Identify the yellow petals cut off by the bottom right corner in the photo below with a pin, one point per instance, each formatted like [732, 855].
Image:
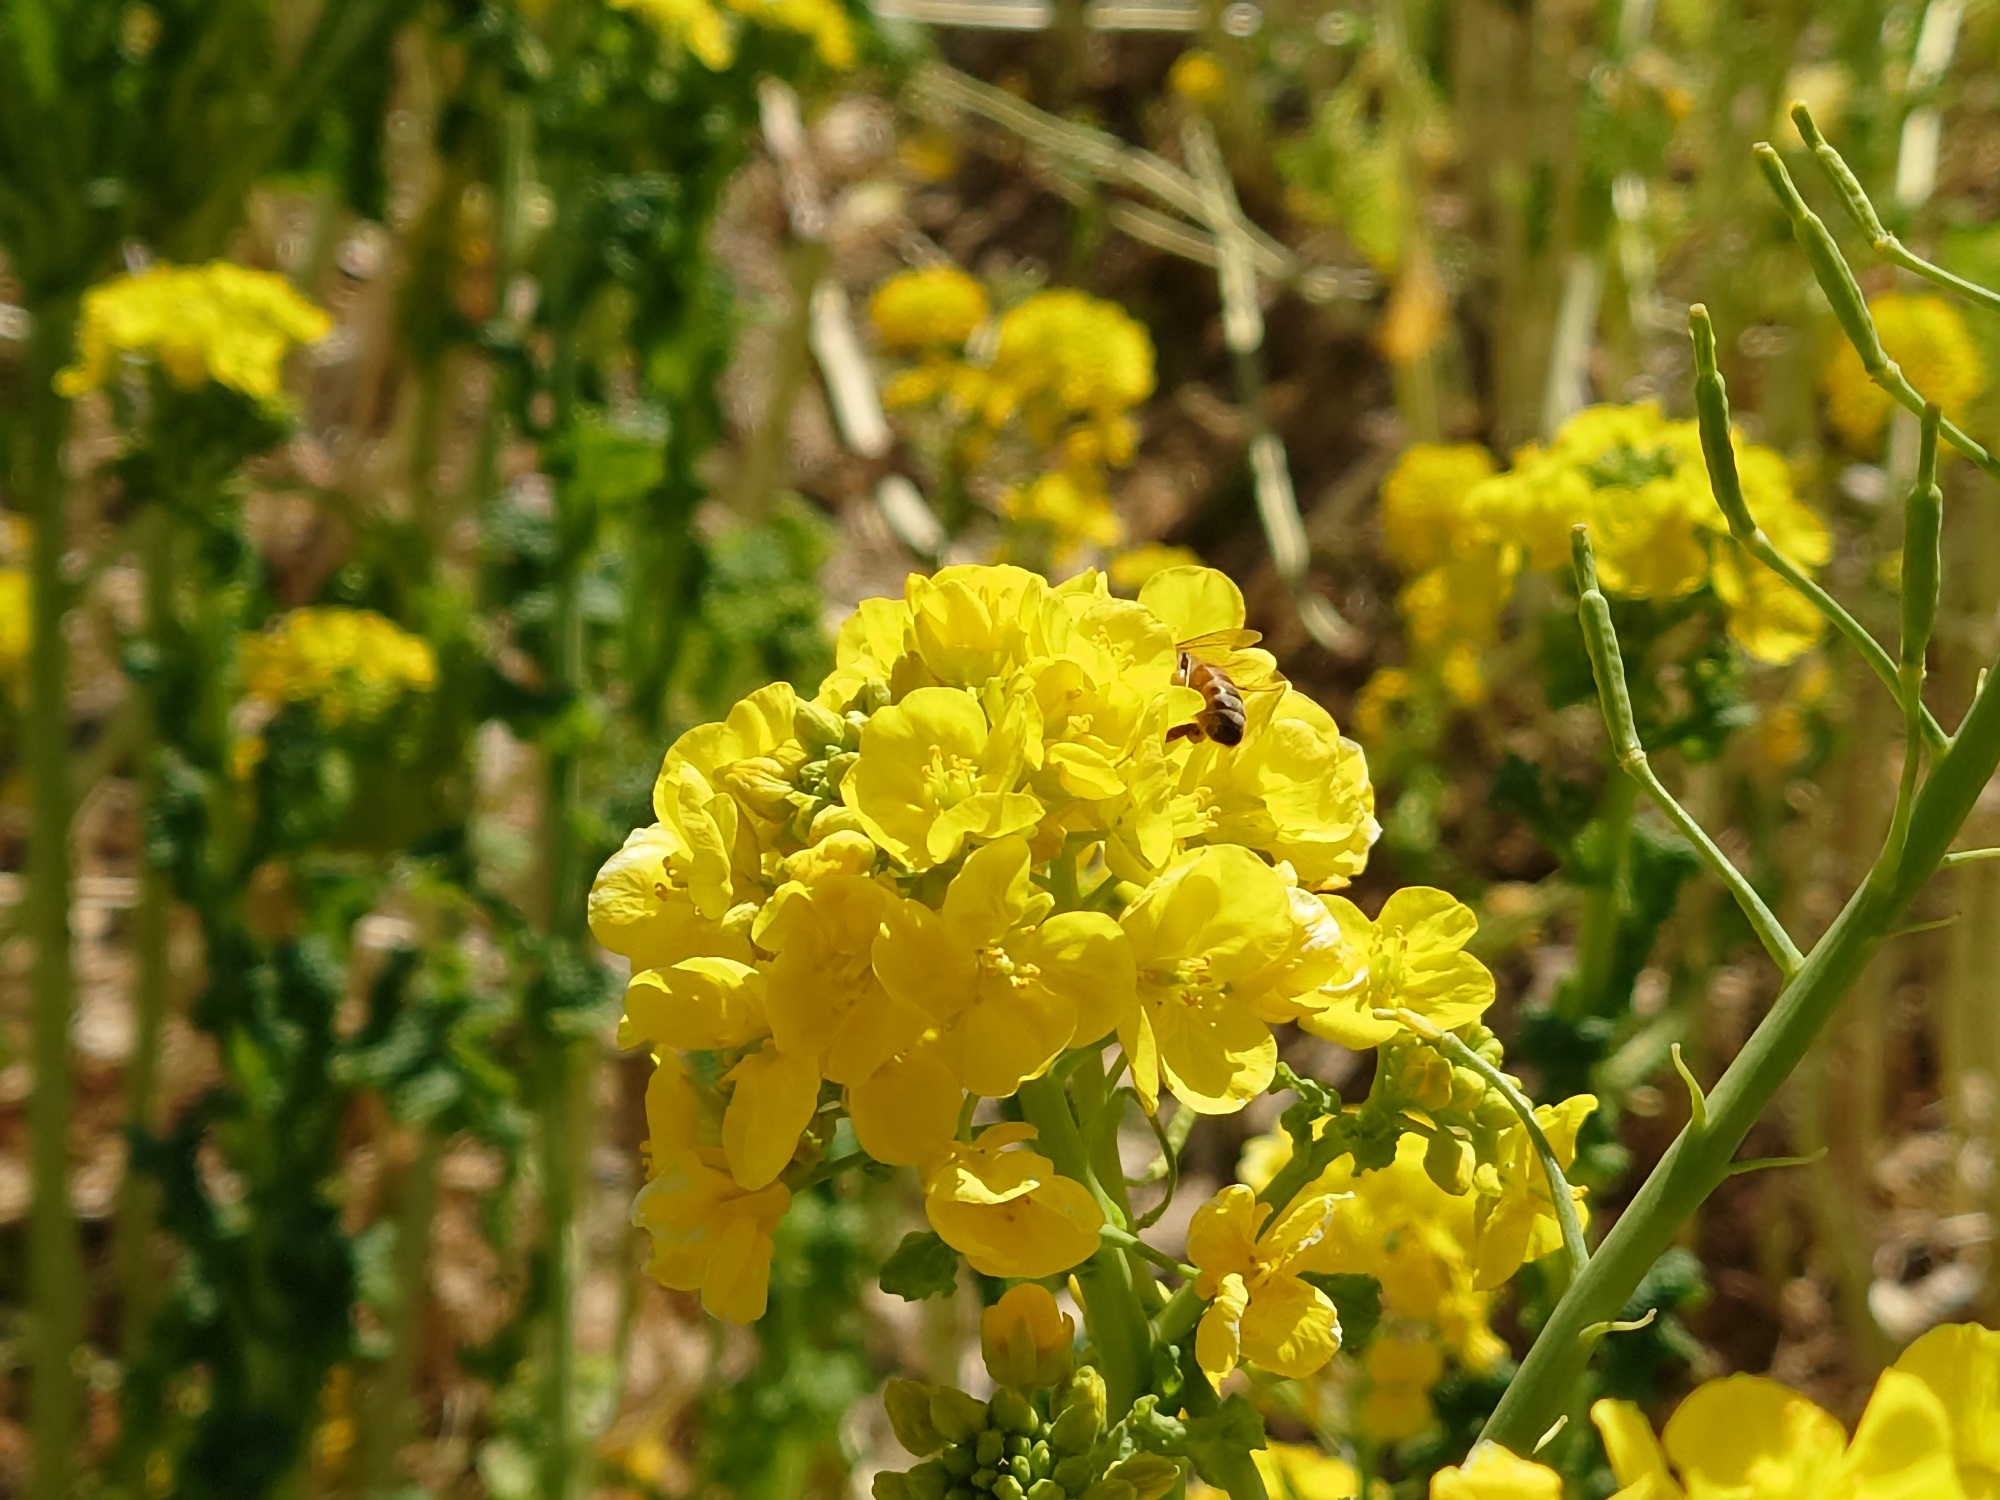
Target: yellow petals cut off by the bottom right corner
[1931, 1429]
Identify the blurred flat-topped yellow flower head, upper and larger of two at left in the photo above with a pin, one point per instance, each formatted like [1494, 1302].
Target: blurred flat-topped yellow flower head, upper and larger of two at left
[219, 323]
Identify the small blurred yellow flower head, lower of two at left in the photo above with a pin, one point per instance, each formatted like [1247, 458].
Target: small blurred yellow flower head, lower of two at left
[349, 665]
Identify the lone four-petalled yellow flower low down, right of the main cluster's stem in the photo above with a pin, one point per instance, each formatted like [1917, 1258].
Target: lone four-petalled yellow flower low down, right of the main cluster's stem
[1259, 1307]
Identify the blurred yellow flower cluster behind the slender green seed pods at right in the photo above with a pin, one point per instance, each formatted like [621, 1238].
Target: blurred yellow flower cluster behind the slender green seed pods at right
[1463, 531]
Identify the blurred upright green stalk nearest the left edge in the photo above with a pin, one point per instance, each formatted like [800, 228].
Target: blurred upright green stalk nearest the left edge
[55, 1257]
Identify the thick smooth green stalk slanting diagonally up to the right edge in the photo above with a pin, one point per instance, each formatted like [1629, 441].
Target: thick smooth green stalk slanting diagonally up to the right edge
[1699, 1161]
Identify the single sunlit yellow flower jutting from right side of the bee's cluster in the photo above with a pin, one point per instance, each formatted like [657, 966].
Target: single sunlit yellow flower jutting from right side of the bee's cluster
[1417, 961]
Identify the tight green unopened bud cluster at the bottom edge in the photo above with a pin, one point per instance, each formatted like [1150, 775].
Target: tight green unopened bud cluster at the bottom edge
[1047, 1445]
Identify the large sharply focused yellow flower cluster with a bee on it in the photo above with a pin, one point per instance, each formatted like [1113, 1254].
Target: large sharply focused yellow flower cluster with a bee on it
[975, 847]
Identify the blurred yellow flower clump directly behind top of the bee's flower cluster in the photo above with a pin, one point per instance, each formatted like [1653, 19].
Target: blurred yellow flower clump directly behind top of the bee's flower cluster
[1061, 369]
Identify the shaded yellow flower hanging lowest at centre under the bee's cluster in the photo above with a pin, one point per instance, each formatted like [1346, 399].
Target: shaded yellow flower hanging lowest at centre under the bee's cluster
[1009, 1213]
